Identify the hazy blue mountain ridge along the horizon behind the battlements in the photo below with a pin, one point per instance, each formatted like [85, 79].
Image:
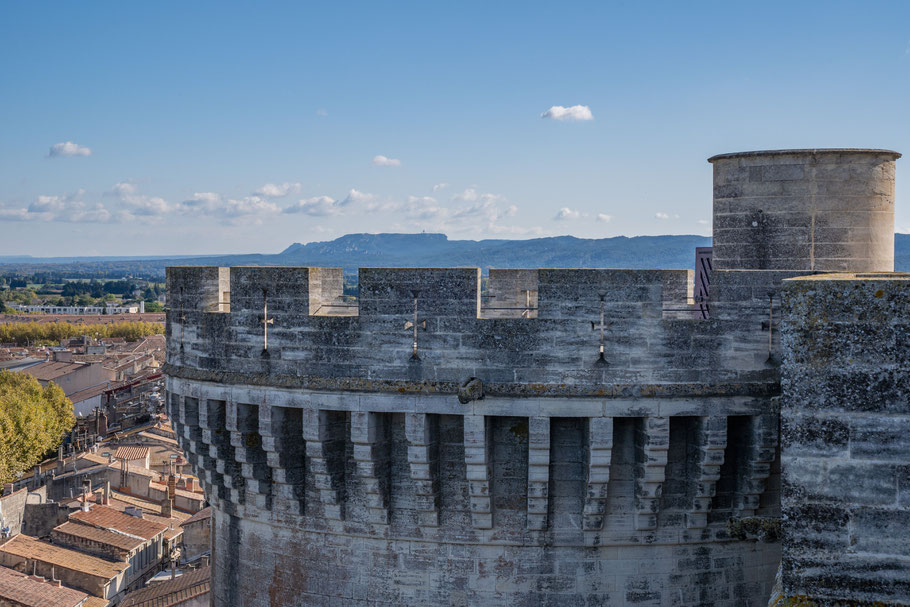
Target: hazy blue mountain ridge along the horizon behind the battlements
[353, 251]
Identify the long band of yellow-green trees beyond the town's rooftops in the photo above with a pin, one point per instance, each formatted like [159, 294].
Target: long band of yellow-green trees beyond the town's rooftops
[51, 333]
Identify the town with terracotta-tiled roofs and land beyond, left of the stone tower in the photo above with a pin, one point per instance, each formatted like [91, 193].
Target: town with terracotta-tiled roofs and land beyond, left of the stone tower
[115, 516]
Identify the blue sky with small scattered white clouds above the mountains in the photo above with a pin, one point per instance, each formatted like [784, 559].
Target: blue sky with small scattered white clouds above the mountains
[227, 127]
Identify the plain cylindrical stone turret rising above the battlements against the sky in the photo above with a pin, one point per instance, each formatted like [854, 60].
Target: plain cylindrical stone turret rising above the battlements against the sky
[825, 210]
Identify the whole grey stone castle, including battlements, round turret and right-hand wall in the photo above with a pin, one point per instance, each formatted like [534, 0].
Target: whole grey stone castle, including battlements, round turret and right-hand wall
[570, 437]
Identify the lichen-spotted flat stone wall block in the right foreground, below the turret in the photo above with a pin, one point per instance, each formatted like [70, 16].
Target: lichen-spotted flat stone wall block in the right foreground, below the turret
[846, 435]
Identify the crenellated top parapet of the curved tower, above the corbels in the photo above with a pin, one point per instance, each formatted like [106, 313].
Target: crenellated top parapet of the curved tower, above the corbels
[533, 332]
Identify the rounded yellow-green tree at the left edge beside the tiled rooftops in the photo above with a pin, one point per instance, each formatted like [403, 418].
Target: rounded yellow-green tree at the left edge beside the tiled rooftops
[33, 421]
